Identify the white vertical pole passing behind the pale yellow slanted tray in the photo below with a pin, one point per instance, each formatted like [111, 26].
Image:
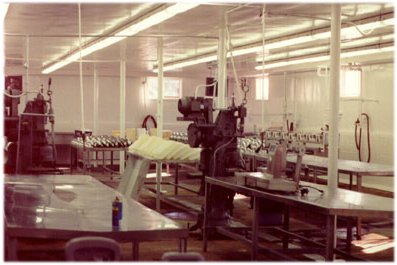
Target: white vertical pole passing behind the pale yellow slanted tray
[159, 117]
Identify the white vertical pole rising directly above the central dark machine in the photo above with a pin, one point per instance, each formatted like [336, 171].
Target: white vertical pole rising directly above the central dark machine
[221, 99]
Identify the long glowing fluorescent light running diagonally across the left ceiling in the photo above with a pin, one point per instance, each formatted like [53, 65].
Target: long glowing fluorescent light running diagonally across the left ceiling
[144, 23]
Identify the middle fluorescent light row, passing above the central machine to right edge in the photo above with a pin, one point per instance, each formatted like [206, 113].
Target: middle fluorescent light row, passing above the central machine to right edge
[348, 31]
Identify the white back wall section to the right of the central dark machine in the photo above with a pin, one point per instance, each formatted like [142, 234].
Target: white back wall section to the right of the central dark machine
[307, 100]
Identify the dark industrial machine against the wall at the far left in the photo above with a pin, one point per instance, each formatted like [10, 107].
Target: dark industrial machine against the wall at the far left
[28, 149]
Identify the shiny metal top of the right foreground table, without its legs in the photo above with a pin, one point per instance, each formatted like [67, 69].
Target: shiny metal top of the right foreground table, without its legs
[342, 202]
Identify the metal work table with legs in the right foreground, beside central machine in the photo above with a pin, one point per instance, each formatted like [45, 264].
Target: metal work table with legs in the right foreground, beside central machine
[340, 203]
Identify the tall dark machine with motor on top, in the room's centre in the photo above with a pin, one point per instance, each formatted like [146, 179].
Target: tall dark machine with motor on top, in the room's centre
[219, 156]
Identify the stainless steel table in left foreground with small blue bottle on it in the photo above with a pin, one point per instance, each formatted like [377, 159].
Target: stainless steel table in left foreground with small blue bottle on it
[69, 206]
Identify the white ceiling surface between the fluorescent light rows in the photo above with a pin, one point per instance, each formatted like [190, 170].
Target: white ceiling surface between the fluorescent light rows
[38, 33]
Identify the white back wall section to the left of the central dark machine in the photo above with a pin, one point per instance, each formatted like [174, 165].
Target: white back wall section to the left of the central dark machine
[66, 102]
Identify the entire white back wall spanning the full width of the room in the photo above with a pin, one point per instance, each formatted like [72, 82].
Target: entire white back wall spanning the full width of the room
[306, 104]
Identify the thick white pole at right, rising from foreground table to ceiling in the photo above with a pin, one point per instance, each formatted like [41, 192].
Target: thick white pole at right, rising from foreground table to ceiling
[334, 98]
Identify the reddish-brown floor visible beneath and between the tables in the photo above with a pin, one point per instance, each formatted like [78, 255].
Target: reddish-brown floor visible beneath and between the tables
[220, 248]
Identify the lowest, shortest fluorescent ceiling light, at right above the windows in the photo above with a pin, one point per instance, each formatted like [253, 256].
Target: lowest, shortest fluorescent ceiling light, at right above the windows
[324, 58]
